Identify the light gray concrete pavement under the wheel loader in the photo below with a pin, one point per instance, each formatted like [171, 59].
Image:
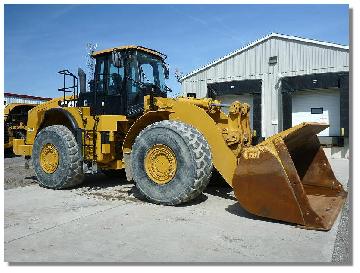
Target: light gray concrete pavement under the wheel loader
[105, 222]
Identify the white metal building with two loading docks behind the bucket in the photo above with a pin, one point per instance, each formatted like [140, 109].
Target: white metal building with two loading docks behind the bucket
[286, 80]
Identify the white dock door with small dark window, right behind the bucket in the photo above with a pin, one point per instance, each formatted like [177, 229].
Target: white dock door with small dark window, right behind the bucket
[318, 106]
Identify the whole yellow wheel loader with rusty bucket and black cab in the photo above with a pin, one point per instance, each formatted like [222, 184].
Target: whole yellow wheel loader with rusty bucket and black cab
[169, 146]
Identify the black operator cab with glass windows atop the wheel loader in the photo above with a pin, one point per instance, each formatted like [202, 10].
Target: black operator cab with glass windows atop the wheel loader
[123, 76]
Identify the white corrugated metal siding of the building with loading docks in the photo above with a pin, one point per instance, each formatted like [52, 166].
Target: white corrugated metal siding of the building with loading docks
[294, 58]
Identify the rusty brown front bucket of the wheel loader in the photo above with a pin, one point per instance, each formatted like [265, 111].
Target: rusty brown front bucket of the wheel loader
[288, 177]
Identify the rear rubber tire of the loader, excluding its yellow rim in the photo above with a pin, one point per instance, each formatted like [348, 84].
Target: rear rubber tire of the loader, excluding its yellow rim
[69, 172]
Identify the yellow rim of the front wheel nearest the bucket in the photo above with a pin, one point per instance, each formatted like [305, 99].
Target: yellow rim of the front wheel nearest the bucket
[160, 164]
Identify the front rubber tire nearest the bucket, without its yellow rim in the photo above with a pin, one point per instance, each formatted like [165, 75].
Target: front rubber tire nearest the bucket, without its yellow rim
[193, 157]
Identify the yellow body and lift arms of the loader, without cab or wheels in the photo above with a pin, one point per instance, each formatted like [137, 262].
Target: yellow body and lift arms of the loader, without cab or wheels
[225, 134]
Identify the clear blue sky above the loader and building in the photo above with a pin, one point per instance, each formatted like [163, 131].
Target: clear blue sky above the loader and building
[43, 39]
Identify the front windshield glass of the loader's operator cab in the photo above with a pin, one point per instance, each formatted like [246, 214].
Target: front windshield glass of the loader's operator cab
[148, 69]
